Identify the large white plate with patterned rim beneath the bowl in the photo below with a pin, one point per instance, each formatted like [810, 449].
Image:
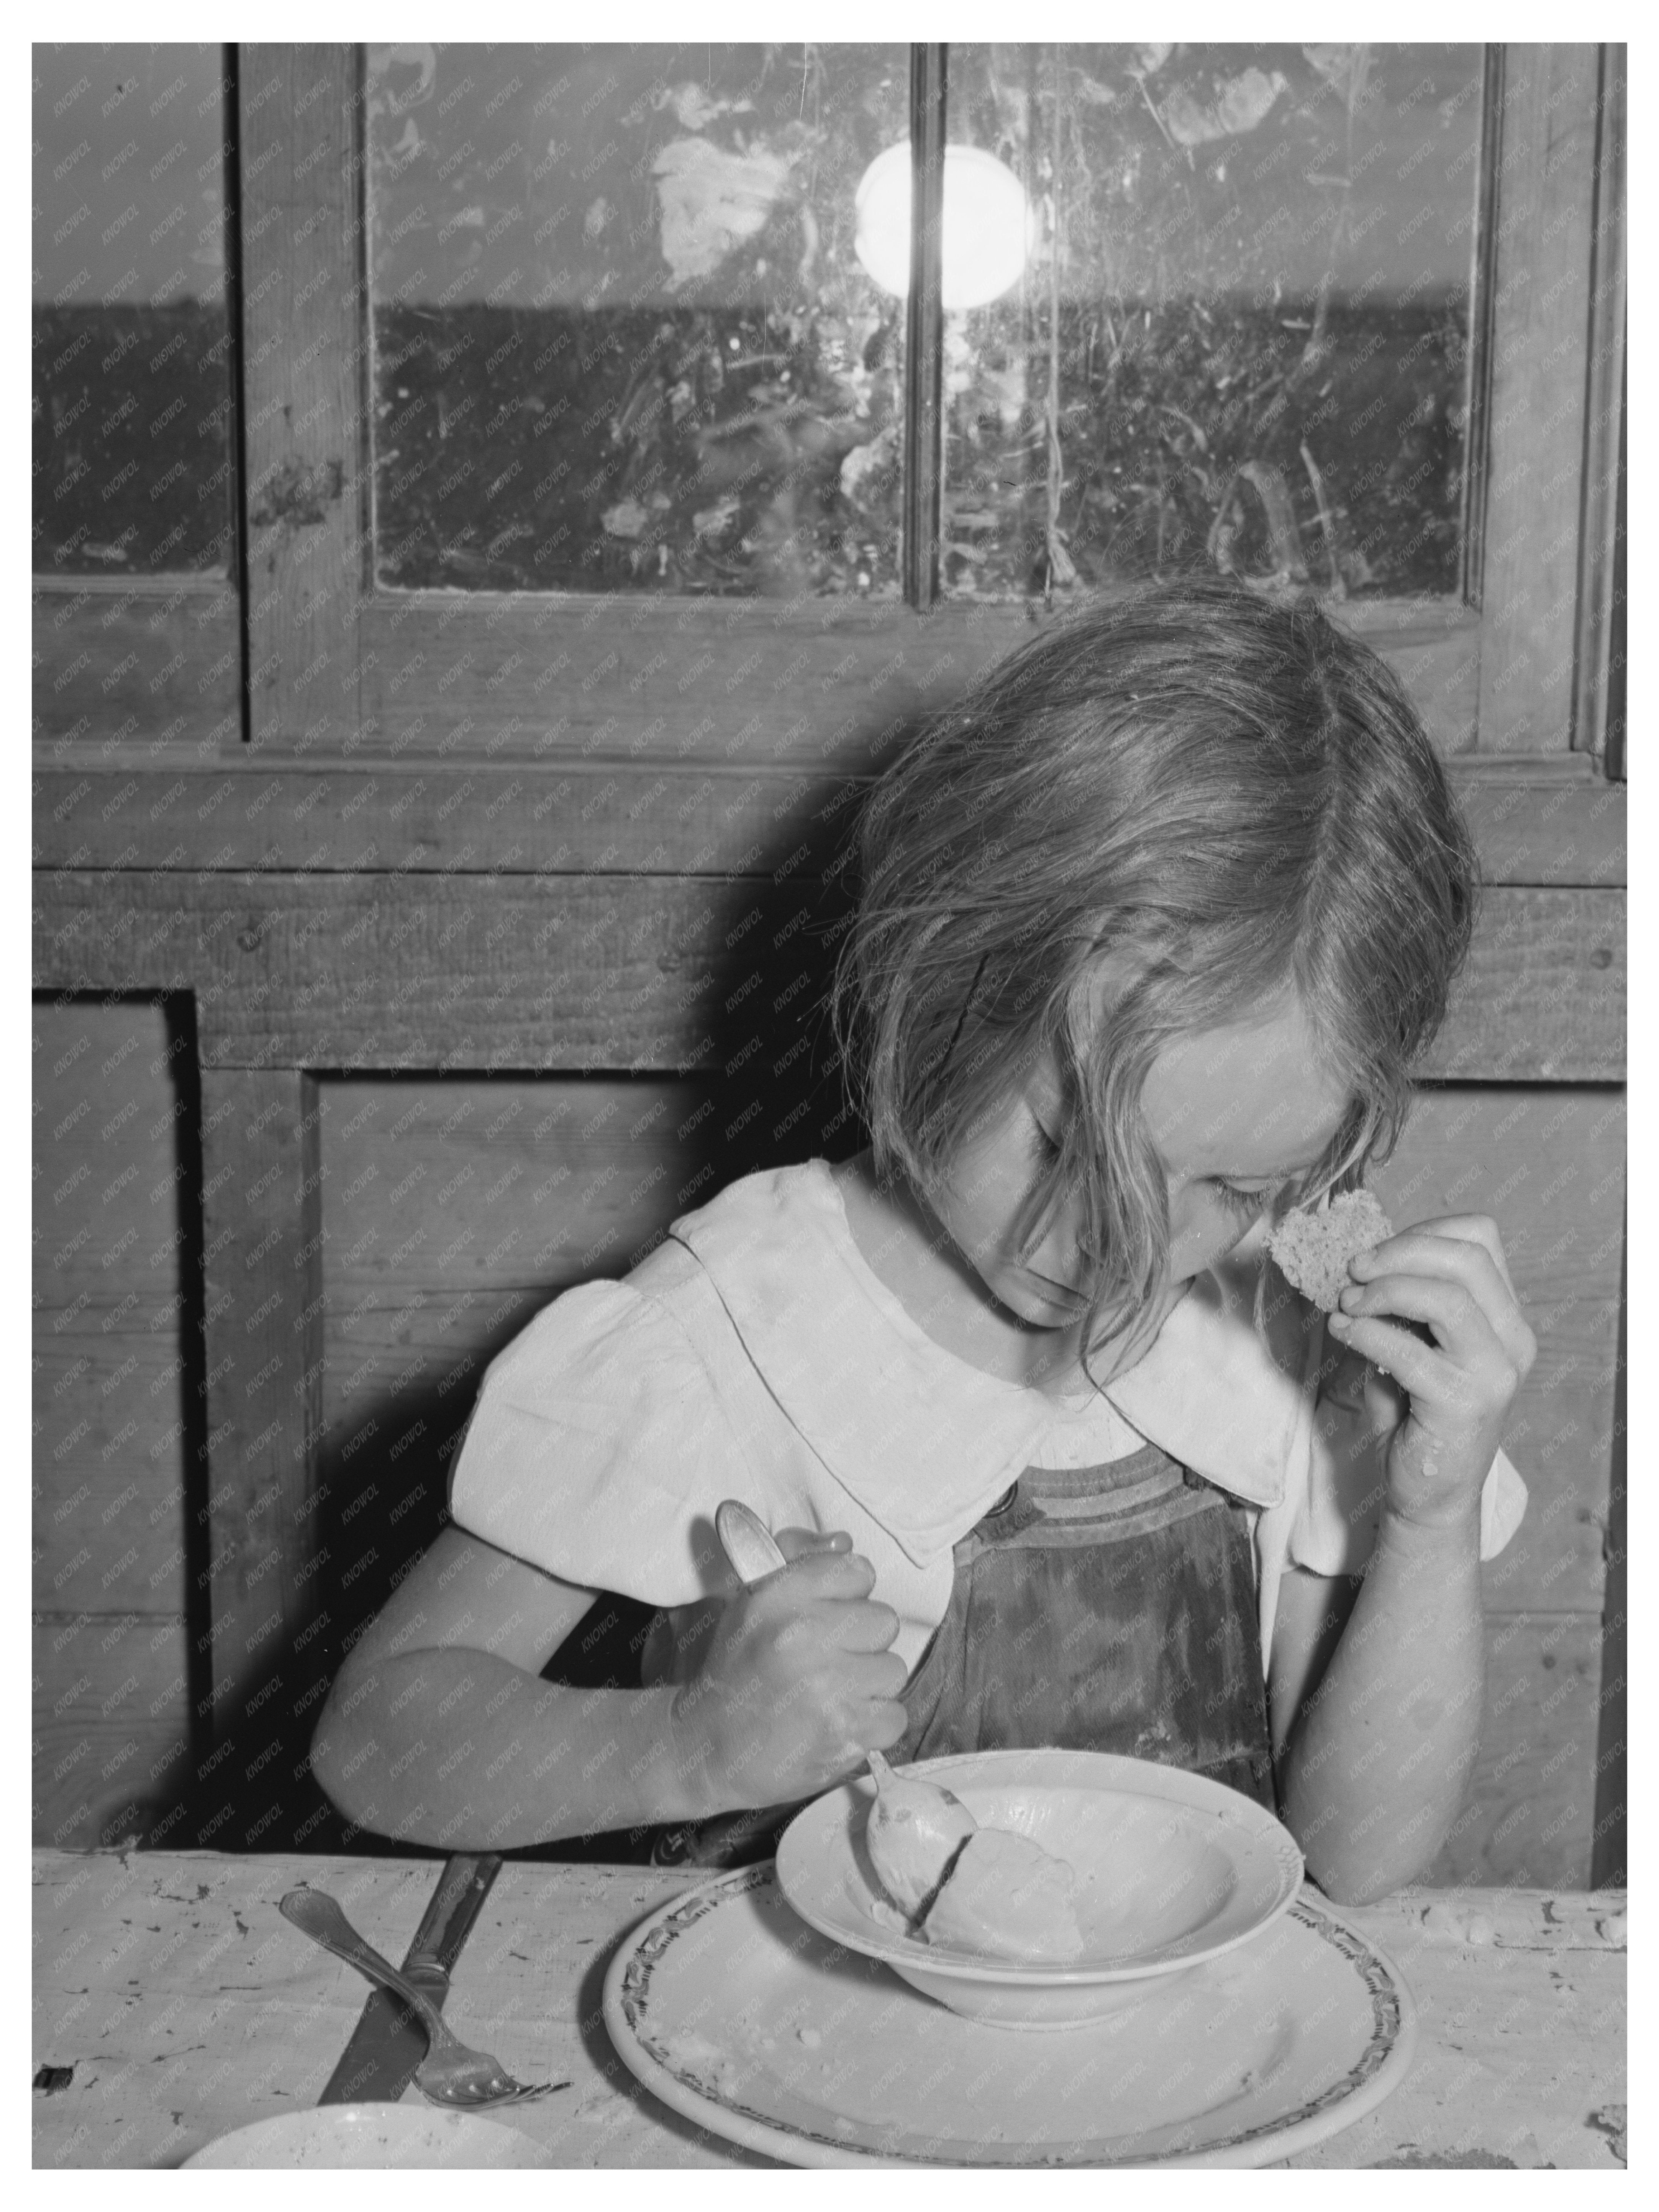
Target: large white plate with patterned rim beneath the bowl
[751, 2025]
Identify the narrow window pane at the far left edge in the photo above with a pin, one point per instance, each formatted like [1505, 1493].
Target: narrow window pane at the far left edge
[132, 344]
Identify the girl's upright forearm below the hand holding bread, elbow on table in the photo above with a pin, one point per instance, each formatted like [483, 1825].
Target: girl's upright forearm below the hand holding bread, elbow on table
[1381, 1757]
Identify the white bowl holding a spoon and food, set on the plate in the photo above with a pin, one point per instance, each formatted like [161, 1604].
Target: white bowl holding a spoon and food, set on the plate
[1173, 1870]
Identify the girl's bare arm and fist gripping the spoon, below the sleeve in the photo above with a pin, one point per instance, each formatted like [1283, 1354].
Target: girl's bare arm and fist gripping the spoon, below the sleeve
[439, 1729]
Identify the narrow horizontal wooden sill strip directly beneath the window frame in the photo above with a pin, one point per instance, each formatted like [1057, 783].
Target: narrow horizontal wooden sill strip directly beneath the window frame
[1538, 822]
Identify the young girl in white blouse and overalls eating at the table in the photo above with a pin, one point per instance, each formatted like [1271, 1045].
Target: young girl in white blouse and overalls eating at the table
[1151, 928]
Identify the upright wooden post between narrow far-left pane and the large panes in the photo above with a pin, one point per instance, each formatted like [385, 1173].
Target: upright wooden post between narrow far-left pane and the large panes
[304, 377]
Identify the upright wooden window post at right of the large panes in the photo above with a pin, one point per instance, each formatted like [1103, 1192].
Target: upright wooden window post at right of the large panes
[1547, 145]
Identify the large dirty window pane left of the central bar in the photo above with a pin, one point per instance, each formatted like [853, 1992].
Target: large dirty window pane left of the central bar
[620, 328]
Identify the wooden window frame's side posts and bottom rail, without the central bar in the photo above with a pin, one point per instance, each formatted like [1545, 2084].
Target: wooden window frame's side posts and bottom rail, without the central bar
[340, 669]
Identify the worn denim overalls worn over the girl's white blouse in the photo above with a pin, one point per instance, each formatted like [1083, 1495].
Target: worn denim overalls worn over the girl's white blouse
[1103, 1609]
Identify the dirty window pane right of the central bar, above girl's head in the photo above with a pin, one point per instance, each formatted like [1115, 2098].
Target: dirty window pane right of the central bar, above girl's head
[1242, 333]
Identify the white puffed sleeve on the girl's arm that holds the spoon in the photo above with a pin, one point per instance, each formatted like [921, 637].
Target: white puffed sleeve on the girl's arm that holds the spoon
[598, 1450]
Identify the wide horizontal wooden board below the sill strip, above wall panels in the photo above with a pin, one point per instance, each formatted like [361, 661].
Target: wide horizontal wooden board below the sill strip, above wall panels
[643, 972]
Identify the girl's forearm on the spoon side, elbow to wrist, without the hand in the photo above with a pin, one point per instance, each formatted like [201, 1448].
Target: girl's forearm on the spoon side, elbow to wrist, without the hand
[466, 1751]
